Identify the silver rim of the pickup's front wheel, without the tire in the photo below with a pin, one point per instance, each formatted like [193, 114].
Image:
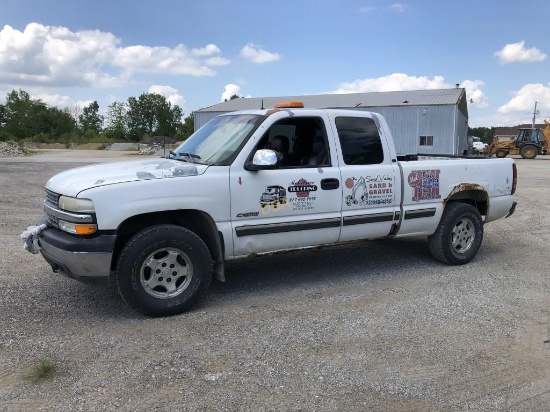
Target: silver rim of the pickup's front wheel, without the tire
[166, 273]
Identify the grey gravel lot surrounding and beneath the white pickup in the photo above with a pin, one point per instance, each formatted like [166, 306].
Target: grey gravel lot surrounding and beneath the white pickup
[376, 326]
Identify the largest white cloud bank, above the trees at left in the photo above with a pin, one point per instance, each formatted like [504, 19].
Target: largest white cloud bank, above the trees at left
[56, 56]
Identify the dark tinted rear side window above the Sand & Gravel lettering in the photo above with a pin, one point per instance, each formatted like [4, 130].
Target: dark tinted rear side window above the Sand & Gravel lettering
[359, 140]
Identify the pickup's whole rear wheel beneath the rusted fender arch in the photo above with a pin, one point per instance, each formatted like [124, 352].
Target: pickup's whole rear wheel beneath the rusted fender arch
[458, 236]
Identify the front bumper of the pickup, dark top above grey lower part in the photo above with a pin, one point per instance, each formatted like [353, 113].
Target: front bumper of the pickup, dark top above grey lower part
[84, 259]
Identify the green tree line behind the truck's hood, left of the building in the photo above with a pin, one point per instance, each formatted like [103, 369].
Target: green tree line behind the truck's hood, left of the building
[137, 119]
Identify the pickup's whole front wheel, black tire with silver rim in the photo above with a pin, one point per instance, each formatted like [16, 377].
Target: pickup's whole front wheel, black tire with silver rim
[163, 270]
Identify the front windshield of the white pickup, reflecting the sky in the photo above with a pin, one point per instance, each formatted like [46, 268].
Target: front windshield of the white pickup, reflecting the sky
[218, 140]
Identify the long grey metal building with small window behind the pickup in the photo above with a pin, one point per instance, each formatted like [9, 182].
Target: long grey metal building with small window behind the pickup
[421, 121]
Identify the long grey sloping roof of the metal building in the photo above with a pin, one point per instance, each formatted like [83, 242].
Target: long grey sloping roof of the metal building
[434, 97]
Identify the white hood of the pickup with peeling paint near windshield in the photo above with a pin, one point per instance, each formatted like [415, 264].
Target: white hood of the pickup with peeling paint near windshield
[73, 181]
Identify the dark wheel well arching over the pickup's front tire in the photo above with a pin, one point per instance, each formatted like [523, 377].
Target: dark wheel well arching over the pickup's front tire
[196, 221]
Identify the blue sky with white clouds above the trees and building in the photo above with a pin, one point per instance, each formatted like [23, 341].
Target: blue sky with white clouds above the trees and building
[71, 52]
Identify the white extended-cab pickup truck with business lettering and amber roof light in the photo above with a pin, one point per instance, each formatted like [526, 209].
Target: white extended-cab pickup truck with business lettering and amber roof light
[254, 182]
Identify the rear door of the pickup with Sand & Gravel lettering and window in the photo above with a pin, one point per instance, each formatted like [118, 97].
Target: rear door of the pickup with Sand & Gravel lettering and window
[370, 177]
